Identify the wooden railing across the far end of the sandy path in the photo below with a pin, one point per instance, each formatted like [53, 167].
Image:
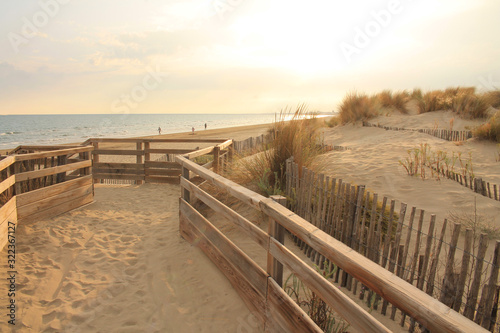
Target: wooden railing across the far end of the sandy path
[147, 161]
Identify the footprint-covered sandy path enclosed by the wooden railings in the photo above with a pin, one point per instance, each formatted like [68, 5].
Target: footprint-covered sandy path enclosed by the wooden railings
[119, 265]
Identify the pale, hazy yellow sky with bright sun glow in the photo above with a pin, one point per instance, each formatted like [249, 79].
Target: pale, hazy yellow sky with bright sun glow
[236, 56]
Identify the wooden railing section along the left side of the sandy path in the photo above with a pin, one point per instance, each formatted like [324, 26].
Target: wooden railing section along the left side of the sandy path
[40, 184]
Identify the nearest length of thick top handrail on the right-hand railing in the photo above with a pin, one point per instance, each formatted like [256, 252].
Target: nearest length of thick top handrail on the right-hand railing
[427, 310]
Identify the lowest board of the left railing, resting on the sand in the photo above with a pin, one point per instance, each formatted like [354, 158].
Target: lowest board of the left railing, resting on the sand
[47, 202]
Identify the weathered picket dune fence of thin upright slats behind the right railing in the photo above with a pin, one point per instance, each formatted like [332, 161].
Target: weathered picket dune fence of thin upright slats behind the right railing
[434, 262]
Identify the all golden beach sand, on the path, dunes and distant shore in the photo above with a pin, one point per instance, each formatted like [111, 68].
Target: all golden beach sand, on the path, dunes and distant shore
[120, 265]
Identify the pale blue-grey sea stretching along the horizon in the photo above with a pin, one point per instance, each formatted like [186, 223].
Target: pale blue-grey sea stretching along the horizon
[18, 130]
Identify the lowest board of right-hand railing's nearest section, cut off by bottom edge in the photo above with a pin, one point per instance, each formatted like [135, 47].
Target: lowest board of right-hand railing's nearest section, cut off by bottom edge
[284, 315]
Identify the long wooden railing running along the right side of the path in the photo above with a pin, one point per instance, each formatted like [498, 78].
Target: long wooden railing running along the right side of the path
[261, 289]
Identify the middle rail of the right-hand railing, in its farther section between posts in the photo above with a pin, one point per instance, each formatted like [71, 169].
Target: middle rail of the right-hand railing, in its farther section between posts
[254, 232]
